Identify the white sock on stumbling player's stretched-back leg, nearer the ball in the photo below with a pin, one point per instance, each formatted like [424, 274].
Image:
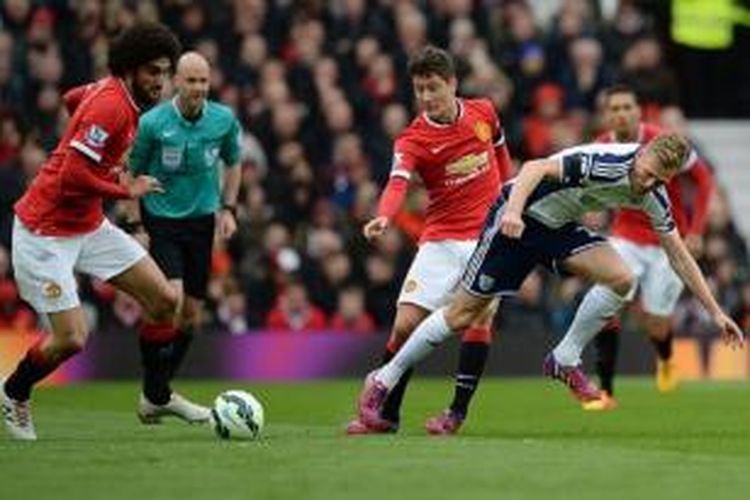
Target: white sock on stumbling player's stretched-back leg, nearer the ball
[428, 335]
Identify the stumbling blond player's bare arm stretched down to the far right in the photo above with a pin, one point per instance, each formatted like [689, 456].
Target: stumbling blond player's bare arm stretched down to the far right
[687, 269]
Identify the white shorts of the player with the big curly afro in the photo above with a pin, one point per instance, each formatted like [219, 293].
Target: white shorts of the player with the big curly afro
[44, 266]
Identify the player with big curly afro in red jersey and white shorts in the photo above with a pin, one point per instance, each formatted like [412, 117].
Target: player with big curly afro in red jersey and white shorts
[60, 225]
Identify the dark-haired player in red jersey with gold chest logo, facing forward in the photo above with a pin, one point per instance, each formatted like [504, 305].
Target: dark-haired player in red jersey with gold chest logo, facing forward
[458, 149]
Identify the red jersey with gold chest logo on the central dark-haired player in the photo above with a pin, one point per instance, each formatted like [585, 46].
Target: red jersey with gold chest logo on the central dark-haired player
[459, 166]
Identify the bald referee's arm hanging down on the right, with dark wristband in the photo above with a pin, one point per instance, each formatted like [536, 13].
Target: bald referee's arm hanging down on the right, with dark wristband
[230, 154]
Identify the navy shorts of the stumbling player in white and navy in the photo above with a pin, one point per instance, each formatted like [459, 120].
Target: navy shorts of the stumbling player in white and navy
[499, 264]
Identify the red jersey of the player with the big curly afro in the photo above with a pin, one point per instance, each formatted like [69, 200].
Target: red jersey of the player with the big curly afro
[65, 198]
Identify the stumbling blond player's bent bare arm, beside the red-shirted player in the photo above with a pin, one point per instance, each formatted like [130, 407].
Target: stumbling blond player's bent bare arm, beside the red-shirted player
[532, 173]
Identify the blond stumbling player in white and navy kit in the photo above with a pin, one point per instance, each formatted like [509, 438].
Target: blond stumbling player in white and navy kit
[536, 221]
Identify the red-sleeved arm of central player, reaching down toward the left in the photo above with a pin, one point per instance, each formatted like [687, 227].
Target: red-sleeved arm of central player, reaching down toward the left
[394, 194]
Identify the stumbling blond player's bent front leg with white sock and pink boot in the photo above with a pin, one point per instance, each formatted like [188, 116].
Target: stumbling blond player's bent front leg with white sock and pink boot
[614, 284]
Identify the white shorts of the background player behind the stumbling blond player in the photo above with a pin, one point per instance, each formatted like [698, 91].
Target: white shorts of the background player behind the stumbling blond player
[659, 285]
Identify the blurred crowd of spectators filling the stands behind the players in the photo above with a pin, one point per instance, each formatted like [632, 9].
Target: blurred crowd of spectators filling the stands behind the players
[321, 91]
